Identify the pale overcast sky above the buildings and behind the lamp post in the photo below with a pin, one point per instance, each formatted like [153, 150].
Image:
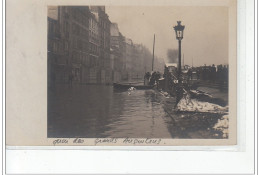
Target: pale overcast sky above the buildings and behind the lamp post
[205, 35]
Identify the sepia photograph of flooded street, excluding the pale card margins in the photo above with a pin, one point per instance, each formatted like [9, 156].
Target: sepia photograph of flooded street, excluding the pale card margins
[138, 72]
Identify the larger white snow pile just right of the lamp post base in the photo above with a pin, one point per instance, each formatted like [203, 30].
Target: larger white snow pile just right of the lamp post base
[193, 105]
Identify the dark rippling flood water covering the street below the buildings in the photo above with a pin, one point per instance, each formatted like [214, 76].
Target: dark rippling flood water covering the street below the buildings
[91, 111]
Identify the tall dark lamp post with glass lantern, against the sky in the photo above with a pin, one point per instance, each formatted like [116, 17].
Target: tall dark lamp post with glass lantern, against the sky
[179, 36]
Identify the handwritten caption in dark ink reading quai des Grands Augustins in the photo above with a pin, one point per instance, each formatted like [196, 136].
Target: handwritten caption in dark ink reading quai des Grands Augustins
[108, 141]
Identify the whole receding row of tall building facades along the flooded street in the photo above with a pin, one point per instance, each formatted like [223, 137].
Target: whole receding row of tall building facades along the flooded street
[83, 45]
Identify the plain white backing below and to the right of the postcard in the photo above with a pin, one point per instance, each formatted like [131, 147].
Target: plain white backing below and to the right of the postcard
[195, 162]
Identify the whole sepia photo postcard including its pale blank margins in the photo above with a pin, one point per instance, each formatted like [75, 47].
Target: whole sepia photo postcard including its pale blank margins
[121, 74]
